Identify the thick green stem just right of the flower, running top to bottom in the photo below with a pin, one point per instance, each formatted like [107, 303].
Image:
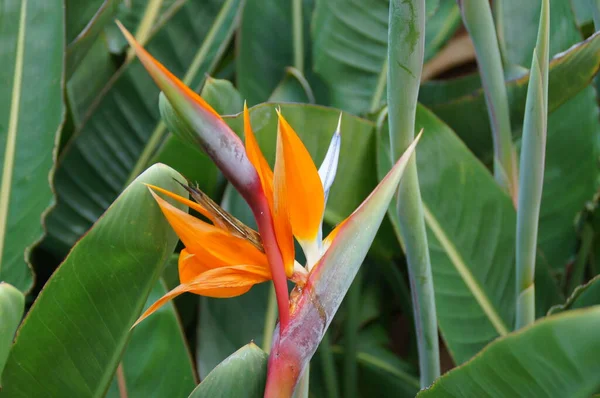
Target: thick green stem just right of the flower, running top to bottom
[405, 54]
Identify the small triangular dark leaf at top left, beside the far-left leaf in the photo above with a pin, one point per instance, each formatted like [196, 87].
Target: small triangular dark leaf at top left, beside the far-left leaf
[85, 20]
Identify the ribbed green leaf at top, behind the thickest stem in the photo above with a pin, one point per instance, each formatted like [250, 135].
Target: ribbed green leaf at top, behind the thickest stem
[350, 47]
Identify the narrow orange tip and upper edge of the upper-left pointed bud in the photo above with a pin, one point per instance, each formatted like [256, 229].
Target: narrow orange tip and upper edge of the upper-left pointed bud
[161, 75]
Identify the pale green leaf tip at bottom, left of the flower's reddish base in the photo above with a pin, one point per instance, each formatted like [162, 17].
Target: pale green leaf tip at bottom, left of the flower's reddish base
[242, 374]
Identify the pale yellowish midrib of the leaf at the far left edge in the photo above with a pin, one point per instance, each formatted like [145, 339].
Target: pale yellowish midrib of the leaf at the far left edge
[11, 139]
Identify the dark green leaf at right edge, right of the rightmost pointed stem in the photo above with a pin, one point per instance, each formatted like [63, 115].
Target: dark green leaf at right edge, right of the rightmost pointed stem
[571, 161]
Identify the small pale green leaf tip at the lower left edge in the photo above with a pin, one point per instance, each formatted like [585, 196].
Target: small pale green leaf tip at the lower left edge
[12, 305]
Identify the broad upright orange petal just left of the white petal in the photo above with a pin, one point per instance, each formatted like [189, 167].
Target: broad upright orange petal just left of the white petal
[304, 191]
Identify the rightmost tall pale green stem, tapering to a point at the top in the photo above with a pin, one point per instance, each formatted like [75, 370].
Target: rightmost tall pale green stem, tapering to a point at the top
[533, 152]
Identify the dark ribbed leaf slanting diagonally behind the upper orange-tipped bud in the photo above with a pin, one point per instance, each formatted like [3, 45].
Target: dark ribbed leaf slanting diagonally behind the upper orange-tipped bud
[105, 153]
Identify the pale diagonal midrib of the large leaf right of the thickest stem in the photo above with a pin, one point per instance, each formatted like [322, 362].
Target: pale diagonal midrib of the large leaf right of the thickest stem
[463, 270]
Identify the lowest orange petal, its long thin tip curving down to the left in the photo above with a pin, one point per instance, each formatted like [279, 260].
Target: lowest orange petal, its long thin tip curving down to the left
[219, 282]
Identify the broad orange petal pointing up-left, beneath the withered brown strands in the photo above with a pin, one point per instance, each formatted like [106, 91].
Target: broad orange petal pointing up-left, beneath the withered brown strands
[202, 238]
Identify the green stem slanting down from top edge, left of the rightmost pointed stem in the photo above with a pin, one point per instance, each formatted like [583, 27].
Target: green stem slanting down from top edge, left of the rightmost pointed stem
[477, 17]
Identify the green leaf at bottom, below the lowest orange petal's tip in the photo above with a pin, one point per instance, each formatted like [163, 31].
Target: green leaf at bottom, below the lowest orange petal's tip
[156, 362]
